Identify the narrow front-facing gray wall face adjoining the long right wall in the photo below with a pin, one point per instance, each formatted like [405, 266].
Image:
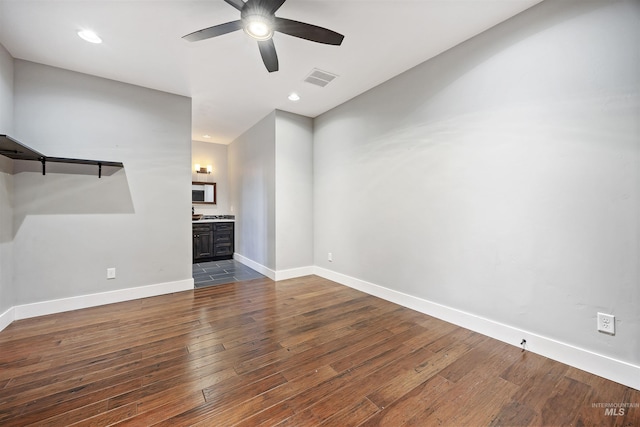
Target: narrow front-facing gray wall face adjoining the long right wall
[294, 191]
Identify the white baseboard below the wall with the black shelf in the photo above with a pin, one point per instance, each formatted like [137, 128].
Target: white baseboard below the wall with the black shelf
[84, 301]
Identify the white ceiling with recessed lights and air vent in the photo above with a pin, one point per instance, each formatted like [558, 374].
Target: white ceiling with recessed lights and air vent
[225, 76]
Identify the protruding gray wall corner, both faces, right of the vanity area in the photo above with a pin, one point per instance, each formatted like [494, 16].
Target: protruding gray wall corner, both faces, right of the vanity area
[271, 187]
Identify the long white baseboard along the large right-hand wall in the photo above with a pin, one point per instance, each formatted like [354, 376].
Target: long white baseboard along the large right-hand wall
[604, 366]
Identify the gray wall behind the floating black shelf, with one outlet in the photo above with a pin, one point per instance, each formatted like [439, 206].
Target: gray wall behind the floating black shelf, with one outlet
[69, 227]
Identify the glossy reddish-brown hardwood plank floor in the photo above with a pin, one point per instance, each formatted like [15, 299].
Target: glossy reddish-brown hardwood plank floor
[303, 352]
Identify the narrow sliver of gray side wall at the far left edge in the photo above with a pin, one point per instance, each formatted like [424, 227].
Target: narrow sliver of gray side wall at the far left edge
[6, 183]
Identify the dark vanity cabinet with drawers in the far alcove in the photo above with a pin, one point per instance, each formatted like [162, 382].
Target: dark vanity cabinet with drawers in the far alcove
[212, 241]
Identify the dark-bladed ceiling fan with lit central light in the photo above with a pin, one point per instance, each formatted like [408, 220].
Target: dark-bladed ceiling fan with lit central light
[258, 20]
